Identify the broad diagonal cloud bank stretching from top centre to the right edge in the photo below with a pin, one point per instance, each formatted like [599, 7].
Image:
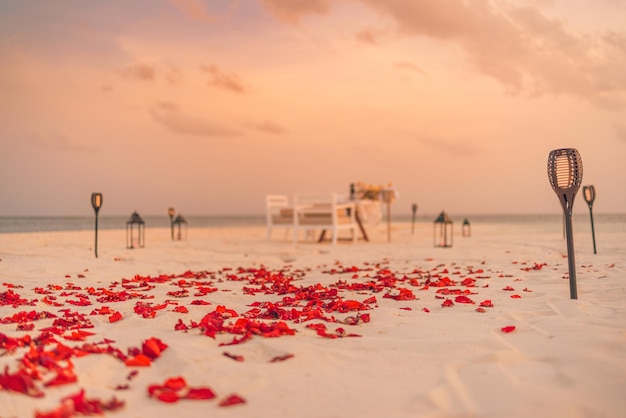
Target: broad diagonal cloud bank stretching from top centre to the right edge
[523, 49]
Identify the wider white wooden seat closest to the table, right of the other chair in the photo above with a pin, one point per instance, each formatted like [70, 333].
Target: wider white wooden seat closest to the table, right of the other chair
[315, 211]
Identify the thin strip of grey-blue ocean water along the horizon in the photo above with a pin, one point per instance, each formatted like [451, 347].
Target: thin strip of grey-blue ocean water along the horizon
[603, 223]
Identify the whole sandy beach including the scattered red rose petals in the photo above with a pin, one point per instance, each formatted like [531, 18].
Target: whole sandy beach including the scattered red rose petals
[229, 324]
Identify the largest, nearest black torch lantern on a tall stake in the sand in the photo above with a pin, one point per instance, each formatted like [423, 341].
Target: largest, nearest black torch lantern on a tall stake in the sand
[565, 172]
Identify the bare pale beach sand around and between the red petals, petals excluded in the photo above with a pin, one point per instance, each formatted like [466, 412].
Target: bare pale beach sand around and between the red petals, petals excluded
[565, 358]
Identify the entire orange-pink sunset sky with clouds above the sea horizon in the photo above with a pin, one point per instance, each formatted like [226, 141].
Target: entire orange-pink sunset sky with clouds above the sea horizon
[209, 105]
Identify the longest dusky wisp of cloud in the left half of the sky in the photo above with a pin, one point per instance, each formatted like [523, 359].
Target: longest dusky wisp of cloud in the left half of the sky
[169, 115]
